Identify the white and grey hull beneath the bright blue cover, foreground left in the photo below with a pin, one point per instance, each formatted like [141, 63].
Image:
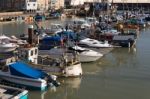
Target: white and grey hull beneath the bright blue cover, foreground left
[28, 82]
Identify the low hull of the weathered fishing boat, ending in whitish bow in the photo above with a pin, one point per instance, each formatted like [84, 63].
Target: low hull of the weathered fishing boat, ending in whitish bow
[72, 70]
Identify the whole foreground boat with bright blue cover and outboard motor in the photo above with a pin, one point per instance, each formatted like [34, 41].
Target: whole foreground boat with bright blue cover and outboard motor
[20, 73]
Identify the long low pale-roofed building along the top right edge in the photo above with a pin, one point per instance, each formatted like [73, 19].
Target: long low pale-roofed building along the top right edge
[122, 4]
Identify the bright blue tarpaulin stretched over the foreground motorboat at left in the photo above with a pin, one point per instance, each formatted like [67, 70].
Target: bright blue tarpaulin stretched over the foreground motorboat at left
[24, 70]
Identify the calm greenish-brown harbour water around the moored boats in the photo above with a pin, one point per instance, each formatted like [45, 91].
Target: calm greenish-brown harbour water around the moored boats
[121, 74]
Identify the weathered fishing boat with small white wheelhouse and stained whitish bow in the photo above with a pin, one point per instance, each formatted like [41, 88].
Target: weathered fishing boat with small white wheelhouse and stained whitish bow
[47, 63]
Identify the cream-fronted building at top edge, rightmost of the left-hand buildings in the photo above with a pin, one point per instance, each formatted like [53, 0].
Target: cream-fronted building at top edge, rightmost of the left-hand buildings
[56, 4]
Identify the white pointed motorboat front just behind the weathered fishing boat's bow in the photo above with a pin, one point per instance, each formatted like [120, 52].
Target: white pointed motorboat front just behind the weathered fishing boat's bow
[85, 54]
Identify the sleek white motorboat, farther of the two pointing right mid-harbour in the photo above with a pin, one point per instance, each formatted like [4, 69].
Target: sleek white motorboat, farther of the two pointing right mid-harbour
[87, 42]
